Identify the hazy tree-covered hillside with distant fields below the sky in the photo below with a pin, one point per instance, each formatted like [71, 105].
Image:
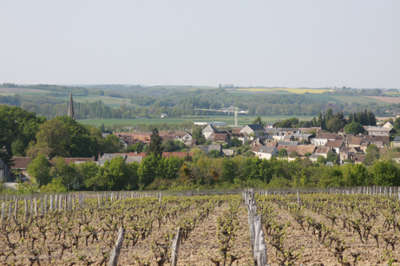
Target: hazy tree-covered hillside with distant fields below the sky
[119, 101]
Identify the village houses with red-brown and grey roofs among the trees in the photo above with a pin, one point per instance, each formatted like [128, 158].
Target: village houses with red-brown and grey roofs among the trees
[264, 142]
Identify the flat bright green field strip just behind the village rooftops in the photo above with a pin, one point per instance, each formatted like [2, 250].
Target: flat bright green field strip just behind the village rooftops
[242, 120]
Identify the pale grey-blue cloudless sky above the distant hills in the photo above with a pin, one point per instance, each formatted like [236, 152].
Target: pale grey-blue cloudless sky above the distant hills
[291, 43]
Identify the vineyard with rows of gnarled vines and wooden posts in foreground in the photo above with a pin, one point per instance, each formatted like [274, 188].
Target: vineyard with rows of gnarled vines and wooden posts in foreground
[129, 228]
